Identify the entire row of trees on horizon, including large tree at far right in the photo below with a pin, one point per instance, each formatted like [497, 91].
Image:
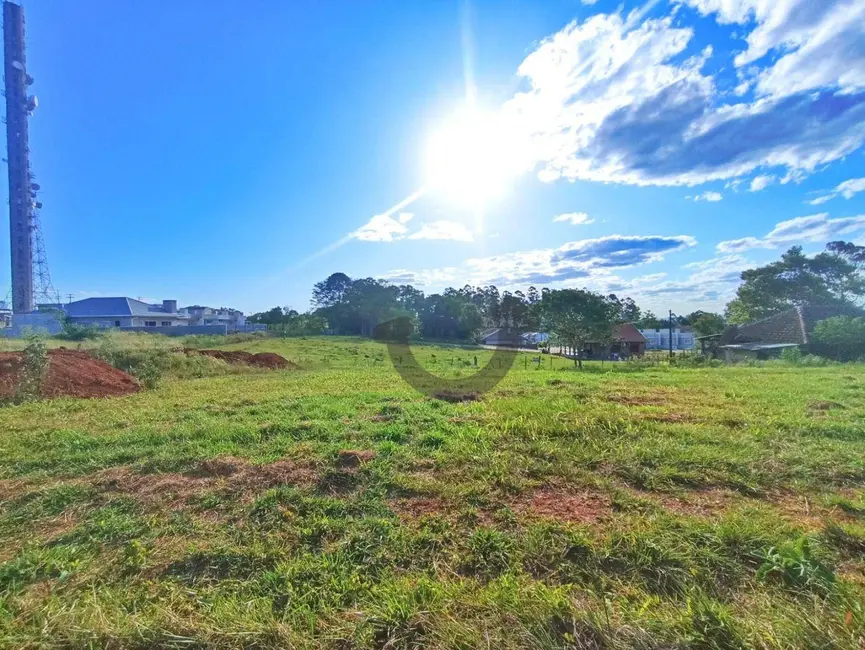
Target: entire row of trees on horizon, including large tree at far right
[572, 317]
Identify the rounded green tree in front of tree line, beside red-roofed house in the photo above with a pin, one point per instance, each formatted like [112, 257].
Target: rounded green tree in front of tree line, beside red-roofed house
[574, 317]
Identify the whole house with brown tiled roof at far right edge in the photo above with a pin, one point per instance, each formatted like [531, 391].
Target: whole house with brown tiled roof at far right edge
[767, 337]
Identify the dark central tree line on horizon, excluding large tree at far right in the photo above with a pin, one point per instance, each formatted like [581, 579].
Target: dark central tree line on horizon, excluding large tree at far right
[348, 306]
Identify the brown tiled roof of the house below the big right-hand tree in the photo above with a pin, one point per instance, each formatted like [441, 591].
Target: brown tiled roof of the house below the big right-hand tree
[790, 326]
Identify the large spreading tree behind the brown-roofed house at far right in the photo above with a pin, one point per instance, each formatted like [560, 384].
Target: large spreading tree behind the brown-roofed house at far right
[796, 279]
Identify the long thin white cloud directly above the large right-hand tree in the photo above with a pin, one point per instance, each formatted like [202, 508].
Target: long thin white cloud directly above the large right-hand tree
[815, 228]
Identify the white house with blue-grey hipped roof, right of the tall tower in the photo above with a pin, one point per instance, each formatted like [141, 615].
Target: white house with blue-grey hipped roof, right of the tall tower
[124, 312]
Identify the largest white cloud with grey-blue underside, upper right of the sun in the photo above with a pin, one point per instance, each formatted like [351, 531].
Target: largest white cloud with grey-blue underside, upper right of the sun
[612, 99]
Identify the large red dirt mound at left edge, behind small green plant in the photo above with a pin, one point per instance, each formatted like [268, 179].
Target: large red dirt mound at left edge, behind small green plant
[70, 373]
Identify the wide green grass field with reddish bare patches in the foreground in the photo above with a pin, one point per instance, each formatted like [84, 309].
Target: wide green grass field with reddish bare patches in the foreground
[335, 507]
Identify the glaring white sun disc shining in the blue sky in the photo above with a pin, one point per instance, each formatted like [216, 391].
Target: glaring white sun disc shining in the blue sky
[473, 158]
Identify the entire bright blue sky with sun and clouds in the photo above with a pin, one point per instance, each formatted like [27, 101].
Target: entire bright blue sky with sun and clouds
[233, 154]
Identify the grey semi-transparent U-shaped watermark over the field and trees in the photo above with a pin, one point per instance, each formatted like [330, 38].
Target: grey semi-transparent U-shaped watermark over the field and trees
[478, 379]
